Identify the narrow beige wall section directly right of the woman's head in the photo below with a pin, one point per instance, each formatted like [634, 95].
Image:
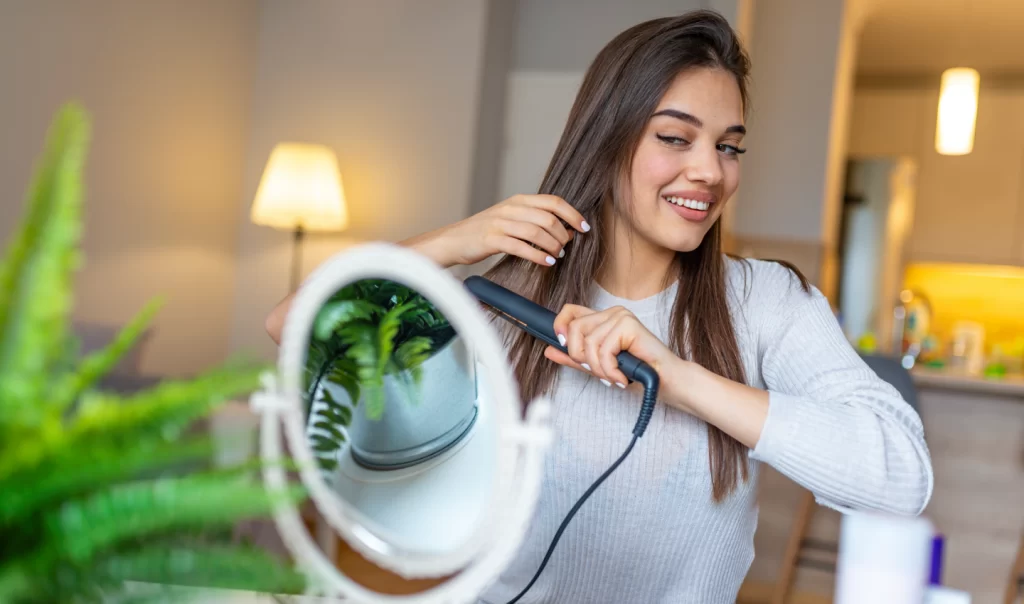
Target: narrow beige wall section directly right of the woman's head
[804, 57]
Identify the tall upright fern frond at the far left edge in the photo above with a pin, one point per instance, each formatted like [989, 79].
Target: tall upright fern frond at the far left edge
[36, 273]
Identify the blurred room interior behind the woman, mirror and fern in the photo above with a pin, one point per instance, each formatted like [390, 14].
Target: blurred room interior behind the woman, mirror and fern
[897, 185]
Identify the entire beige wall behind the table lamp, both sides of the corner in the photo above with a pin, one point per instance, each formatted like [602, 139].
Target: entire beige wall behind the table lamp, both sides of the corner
[188, 100]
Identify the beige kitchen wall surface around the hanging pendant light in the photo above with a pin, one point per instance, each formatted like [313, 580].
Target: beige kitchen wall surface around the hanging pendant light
[898, 118]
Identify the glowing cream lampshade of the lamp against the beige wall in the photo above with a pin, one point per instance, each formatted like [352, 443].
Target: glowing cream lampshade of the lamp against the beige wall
[302, 188]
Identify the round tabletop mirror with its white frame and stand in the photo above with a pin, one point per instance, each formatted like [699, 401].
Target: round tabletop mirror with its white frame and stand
[398, 403]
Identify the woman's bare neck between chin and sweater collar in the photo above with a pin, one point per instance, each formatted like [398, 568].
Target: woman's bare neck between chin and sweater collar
[634, 268]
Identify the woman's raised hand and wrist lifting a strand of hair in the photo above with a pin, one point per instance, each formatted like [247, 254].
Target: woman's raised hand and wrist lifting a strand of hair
[514, 227]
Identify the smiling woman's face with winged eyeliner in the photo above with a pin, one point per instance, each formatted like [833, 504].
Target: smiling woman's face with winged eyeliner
[688, 164]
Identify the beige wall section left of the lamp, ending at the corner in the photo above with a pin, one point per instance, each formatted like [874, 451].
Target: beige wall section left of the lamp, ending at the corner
[166, 83]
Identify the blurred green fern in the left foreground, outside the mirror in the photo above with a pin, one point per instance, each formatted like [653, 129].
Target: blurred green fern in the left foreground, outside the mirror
[98, 489]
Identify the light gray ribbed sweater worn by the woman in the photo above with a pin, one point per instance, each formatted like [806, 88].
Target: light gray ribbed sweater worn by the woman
[652, 533]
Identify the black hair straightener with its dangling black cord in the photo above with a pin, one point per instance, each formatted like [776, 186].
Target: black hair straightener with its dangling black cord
[540, 323]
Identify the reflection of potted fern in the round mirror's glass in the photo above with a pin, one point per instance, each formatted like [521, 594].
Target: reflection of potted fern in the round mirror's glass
[395, 420]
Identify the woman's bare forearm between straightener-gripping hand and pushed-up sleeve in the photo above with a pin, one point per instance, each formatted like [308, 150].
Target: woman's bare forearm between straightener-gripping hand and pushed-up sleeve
[736, 409]
